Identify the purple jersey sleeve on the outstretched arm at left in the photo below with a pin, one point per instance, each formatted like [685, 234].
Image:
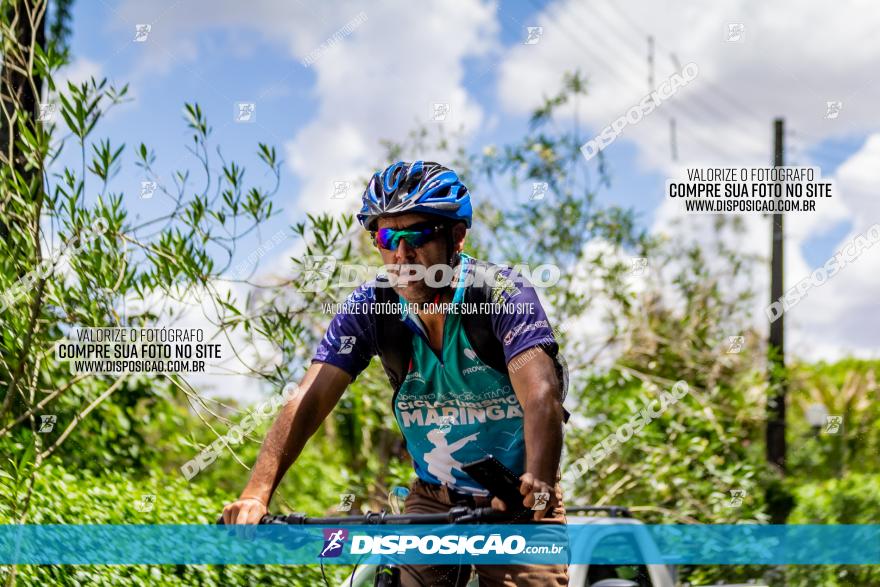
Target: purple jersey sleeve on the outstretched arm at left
[349, 342]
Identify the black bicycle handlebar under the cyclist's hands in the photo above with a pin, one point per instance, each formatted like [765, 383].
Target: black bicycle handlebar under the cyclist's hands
[456, 515]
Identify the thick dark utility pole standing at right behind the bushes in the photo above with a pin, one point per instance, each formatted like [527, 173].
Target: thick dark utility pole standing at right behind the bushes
[776, 447]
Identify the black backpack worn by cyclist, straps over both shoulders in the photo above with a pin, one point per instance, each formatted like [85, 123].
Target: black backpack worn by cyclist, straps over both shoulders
[394, 338]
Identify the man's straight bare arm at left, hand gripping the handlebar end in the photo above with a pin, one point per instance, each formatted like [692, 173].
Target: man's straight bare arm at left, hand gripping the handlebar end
[318, 393]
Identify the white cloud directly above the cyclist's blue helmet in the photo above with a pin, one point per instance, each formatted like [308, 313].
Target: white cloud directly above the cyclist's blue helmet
[383, 84]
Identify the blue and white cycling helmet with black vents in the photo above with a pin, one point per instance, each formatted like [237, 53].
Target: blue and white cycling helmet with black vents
[420, 186]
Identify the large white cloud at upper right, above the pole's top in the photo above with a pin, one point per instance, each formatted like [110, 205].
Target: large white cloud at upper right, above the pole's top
[782, 67]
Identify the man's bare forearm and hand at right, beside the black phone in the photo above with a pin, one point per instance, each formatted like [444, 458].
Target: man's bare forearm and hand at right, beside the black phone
[537, 389]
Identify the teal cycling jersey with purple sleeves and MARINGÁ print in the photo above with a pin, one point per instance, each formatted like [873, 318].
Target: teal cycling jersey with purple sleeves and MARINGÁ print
[451, 407]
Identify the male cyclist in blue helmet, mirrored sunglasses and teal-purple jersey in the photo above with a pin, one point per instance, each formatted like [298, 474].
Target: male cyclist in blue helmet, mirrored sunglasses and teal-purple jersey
[465, 385]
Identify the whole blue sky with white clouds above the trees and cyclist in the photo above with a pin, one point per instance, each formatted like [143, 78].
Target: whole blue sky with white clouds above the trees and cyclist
[329, 80]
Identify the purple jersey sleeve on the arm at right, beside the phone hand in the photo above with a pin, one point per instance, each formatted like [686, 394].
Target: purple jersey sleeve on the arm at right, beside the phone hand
[520, 331]
